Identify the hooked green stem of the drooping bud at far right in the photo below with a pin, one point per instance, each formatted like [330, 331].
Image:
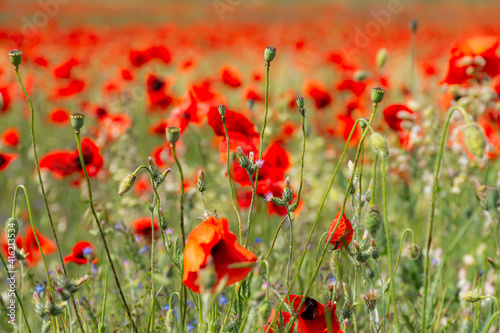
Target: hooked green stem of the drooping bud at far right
[430, 226]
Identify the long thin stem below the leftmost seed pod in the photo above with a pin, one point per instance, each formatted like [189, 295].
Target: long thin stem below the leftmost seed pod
[42, 187]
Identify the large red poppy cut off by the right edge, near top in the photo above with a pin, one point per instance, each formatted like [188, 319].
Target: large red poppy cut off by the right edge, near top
[472, 56]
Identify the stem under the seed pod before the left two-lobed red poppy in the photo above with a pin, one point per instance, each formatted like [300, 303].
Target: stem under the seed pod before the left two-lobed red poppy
[98, 223]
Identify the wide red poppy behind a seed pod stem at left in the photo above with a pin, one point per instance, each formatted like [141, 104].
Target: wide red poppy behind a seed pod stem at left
[64, 163]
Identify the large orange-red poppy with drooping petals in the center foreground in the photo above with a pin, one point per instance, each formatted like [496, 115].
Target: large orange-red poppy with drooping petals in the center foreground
[213, 238]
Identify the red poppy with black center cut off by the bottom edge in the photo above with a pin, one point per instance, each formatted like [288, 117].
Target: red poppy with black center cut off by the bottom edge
[312, 316]
